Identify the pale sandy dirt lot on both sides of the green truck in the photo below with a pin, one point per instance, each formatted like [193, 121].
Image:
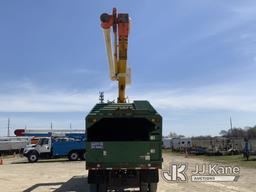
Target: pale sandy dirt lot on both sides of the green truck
[61, 175]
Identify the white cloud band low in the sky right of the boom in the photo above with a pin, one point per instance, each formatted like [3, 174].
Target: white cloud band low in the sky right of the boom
[204, 98]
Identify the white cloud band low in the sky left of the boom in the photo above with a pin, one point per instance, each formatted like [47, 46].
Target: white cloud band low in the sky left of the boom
[47, 102]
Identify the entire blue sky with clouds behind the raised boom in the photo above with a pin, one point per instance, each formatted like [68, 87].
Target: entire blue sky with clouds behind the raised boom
[195, 61]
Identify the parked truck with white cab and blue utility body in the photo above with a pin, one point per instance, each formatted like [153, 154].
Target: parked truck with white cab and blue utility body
[55, 147]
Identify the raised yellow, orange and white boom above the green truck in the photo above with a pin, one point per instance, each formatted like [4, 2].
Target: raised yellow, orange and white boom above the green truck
[117, 65]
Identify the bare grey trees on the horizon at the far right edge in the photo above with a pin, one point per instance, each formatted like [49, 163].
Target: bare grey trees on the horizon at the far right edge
[247, 132]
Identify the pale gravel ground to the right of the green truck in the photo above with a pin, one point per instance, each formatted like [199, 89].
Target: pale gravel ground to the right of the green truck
[245, 183]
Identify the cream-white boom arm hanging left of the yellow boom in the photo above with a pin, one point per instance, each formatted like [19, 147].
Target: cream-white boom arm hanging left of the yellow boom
[108, 43]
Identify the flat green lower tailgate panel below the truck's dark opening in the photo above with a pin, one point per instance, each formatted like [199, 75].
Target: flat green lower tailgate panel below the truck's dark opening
[124, 152]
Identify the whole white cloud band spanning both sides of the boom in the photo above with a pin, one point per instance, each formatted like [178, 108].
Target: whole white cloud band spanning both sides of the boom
[219, 97]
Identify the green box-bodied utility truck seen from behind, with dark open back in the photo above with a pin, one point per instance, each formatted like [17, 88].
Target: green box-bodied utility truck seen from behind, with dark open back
[123, 138]
